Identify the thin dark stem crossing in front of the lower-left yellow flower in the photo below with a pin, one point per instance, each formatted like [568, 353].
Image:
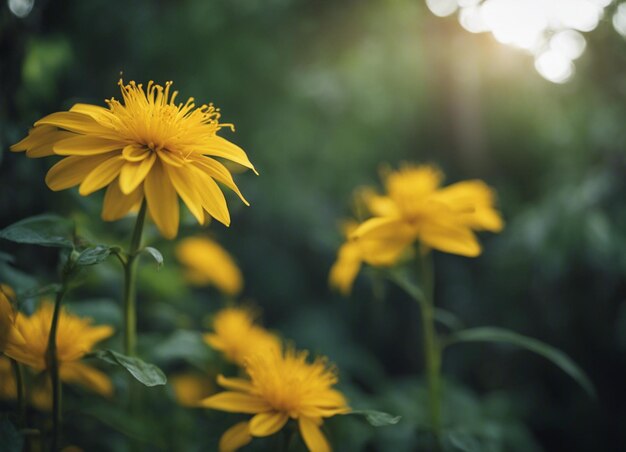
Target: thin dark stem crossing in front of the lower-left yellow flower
[53, 366]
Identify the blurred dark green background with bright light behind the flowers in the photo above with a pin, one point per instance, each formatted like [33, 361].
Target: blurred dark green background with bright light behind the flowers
[529, 96]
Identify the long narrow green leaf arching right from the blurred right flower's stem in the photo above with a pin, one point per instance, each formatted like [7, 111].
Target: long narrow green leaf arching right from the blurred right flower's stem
[557, 357]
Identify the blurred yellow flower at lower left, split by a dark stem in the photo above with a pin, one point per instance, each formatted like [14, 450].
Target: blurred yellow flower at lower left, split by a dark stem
[75, 338]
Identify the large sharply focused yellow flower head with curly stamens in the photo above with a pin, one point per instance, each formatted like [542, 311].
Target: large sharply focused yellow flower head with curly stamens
[146, 145]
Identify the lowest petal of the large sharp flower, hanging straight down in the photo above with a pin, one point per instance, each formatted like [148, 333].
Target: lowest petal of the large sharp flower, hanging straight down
[162, 201]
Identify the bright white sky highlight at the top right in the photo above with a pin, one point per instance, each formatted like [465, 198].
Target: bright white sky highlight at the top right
[548, 29]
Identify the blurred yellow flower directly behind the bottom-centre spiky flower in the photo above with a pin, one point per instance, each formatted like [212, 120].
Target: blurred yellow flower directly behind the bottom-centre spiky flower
[238, 337]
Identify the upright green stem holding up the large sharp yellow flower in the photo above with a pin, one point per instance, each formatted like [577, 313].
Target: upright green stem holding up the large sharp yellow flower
[130, 295]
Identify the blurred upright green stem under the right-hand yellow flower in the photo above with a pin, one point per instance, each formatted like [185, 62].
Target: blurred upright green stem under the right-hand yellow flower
[432, 346]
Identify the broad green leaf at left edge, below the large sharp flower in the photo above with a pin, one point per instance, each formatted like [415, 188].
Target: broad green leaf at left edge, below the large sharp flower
[44, 230]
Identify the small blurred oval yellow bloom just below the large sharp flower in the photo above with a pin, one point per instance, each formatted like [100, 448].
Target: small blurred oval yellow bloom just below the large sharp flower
[208, 263]
